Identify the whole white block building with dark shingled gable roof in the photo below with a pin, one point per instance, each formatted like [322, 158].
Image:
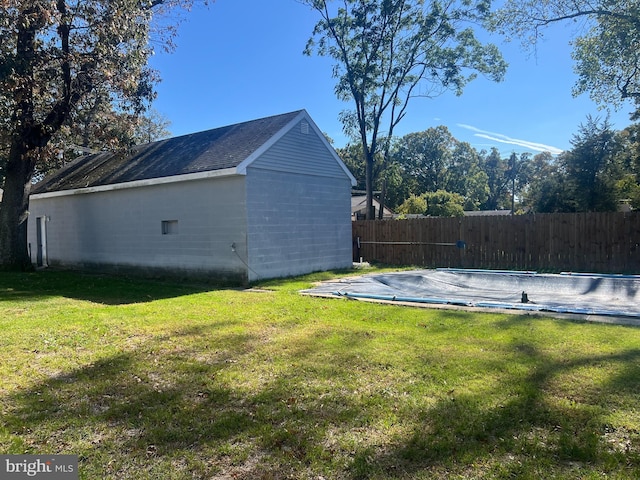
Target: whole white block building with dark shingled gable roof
[261, 199]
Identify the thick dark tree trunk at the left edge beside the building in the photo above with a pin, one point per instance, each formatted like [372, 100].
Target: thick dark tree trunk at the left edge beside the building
[14, 210]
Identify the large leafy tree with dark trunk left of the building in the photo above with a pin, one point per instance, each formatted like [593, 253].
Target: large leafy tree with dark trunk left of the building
[55, 55]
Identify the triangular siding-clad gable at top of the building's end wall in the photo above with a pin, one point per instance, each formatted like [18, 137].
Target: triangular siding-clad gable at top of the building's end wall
[300, 153]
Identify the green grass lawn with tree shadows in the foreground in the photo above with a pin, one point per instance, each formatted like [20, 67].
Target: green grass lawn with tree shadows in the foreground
[157, 380]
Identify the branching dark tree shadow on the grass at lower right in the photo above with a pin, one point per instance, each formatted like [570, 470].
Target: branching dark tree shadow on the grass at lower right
[533, 434]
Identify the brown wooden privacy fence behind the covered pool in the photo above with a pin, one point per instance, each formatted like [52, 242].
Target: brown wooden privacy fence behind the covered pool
[576, 242]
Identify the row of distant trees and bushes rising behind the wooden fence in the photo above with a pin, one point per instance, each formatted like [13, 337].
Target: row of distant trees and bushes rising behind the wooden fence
[433, 173]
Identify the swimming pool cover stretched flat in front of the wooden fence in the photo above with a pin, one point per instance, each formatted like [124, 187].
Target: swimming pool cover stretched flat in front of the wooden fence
[584, 294]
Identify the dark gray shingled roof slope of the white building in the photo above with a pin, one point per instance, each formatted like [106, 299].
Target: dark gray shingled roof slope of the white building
[216, 149]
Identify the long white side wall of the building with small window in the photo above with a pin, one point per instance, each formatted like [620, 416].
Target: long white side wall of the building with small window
[123, 228]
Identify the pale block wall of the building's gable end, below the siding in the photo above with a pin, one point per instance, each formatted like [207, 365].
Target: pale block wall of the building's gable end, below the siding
[297, 223]
